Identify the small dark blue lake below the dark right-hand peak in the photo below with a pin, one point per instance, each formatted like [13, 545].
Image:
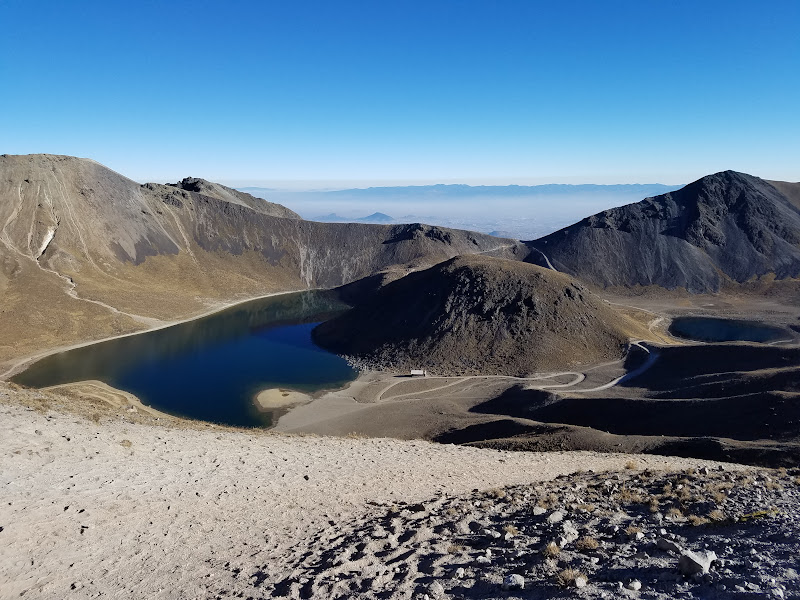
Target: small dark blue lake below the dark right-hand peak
[710, 329]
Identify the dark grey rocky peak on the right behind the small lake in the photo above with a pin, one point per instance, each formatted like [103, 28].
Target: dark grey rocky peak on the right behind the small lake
[726, 226]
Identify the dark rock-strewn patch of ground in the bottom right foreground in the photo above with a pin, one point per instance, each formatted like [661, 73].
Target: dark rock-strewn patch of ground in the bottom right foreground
[635, 533]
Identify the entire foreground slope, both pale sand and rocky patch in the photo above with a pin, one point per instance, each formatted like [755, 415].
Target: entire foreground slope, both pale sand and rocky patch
[101, 502]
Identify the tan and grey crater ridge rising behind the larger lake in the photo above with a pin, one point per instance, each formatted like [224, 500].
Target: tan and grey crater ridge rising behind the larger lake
[86, 252]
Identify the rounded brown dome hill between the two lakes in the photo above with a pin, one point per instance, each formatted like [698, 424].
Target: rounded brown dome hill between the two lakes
[476, 315]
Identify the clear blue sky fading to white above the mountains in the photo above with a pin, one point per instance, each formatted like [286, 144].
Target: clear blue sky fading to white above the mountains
[379, 90]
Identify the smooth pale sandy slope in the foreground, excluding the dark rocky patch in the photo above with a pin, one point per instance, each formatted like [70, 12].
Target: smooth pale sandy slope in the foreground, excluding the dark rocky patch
[141, 511]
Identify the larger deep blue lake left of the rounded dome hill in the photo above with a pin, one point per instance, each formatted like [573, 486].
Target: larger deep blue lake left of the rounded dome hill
[212, 368]
